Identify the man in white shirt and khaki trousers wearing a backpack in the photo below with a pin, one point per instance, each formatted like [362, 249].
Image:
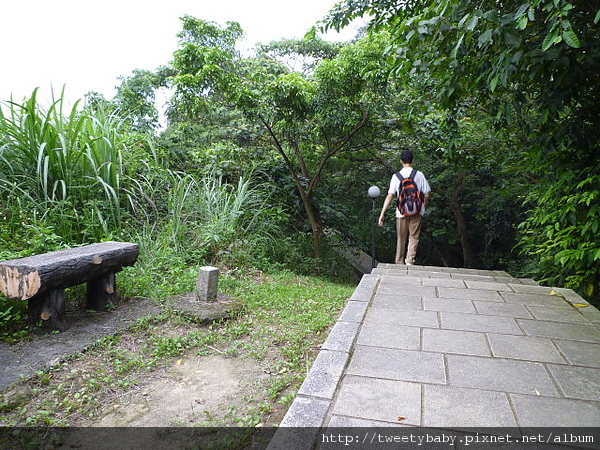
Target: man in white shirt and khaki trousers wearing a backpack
[412, 190]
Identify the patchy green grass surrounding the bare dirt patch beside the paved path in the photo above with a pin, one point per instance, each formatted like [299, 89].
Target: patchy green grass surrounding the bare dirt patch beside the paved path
[285, 318]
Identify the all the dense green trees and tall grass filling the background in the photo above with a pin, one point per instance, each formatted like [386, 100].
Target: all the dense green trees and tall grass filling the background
[263, 161]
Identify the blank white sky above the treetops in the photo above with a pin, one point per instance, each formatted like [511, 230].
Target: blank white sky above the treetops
[86, 45]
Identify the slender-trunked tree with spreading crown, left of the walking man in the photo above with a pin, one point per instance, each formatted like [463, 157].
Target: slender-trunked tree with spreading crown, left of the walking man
[308, 119]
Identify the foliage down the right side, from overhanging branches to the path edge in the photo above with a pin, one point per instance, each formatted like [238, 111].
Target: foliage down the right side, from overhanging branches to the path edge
[534, 65]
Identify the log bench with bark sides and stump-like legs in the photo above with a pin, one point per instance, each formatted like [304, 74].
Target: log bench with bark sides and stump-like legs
[41, 279]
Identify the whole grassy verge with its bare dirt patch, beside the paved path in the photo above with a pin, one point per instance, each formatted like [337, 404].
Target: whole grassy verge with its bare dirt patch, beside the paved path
[261, 354]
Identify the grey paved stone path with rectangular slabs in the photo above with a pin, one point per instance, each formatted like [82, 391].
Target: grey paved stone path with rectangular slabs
[455, 348]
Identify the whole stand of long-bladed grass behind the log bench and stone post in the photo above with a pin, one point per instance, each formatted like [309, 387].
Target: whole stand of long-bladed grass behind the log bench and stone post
[98, 181]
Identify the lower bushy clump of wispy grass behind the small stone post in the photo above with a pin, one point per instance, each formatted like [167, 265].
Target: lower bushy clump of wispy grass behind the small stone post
[193, 222]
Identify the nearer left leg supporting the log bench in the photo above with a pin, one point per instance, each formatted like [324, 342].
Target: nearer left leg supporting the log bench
[50, 309]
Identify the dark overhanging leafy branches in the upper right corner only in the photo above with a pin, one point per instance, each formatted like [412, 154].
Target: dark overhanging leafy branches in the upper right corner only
[535, 55]
